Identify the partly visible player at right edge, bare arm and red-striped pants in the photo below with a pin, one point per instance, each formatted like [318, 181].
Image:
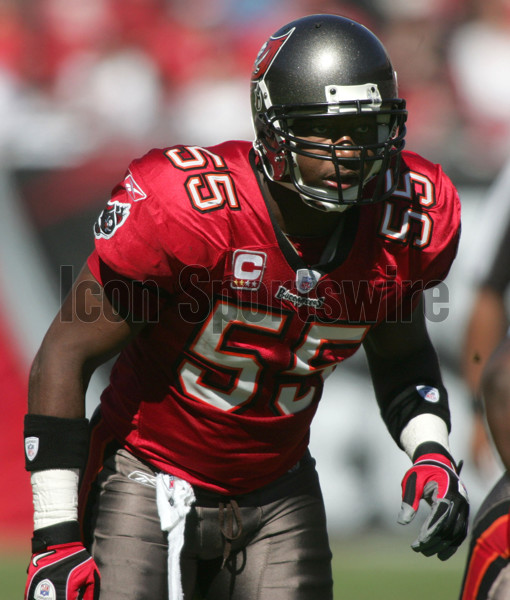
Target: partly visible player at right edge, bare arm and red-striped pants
[487, 573]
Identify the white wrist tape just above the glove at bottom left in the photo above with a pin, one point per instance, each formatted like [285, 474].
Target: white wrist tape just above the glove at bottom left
[55, 493]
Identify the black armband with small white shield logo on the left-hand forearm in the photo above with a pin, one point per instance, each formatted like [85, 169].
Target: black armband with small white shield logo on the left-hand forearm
[55, 443]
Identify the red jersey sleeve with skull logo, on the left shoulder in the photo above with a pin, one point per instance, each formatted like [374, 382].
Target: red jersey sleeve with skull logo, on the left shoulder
[149, 232]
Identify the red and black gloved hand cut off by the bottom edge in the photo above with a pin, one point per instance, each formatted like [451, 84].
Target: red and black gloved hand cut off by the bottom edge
[61, 571]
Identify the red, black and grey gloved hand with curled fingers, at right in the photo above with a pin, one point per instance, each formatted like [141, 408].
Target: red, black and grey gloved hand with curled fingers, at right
[434, 477]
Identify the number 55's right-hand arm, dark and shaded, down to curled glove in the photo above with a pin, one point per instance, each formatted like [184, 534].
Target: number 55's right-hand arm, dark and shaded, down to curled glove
[414, 405]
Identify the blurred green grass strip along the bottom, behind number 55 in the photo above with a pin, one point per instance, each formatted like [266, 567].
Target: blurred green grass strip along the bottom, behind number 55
[368, 568]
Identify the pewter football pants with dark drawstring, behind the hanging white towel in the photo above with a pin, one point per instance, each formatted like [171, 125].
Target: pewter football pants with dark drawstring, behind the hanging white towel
[270, 545]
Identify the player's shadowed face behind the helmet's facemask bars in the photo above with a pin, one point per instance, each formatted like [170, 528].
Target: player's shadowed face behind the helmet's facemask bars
[347, 134]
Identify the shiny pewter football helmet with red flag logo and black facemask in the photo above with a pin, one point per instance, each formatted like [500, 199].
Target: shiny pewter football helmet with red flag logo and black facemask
[318, 68]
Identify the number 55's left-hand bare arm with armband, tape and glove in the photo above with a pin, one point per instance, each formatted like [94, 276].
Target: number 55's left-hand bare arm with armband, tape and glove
[86, 332]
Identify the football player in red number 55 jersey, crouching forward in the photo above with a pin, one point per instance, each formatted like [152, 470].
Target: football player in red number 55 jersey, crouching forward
[232, 280]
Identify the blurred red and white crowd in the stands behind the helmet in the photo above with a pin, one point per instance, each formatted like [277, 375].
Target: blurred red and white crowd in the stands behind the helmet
[83, 79]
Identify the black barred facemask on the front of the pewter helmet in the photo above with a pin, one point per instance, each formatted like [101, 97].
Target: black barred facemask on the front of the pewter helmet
[283, 143]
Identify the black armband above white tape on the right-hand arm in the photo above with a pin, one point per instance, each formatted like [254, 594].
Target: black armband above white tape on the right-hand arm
[413, 401]
